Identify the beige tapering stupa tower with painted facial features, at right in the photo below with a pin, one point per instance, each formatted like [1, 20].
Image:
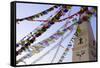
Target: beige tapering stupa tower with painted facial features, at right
[85, 44]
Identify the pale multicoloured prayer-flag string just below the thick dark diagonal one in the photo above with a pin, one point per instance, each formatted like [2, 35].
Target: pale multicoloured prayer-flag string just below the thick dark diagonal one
[50, 40]
